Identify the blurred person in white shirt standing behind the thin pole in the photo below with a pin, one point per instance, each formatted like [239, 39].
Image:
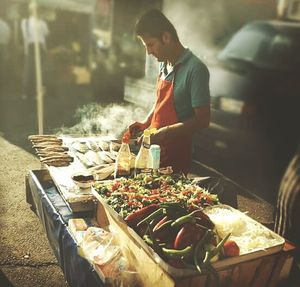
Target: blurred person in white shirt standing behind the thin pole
[28, 32]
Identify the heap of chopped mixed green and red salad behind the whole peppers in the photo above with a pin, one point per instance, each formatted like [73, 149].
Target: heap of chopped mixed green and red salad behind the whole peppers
[127, 195]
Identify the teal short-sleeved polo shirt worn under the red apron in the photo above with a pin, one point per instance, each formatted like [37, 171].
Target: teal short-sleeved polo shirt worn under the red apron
[191, 85]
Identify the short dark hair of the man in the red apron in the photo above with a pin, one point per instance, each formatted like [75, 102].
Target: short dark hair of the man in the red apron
[154, 23]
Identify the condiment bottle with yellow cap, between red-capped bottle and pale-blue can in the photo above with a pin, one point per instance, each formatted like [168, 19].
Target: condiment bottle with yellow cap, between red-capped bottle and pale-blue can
[143, 157]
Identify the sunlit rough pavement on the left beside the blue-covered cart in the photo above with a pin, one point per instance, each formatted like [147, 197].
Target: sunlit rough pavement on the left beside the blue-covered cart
[26, 258]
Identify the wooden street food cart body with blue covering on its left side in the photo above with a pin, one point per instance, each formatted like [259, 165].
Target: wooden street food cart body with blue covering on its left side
[45, 194]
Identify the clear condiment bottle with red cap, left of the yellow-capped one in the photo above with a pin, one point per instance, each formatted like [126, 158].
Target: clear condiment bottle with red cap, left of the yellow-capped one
[122, 165]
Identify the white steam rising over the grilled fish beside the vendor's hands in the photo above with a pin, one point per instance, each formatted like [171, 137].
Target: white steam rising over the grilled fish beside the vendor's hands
[111, 120]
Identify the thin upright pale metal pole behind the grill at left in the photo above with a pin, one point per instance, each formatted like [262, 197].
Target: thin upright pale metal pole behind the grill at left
[38, 73]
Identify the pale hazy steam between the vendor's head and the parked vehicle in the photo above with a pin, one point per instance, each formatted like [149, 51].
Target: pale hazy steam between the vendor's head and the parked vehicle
[204, 26]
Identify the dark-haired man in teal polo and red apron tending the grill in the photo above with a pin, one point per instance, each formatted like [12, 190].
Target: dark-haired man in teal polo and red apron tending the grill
[182, 105]
